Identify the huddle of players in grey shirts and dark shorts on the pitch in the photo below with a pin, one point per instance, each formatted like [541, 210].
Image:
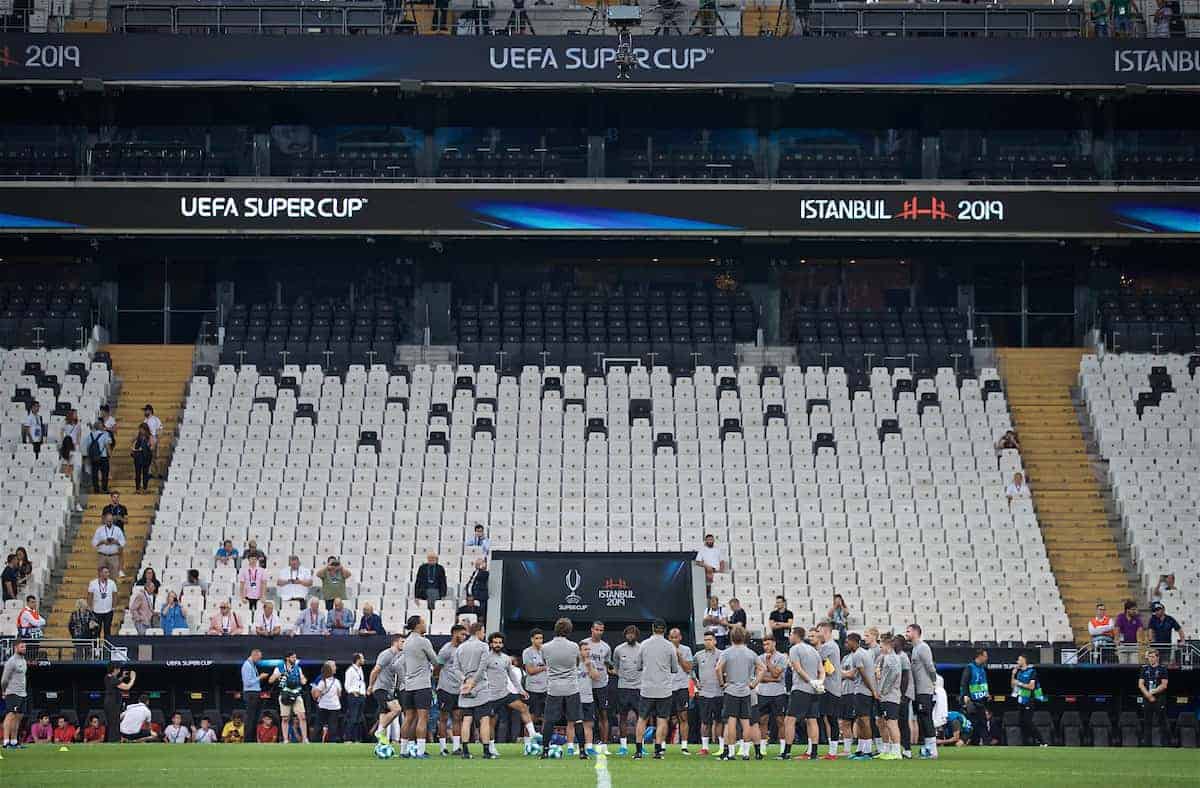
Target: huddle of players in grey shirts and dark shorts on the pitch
[865, 697]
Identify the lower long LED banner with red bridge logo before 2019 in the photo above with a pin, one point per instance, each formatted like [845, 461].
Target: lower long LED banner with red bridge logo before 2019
[613, 210]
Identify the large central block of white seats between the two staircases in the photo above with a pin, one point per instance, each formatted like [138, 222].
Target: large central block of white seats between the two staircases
[311, 464]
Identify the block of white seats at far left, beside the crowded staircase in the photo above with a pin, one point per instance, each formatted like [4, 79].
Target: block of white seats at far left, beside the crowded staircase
[41, 498]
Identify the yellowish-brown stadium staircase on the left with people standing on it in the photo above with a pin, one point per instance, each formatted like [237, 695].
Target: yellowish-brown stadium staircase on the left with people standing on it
[155, 375]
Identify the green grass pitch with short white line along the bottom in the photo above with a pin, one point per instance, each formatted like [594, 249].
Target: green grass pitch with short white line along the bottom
[345, 766]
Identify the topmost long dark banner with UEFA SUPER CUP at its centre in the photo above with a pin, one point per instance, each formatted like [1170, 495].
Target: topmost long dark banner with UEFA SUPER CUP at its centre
[919, 64]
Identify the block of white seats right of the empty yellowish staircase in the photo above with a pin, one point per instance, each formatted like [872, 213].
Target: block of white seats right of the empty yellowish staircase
[1144, 410]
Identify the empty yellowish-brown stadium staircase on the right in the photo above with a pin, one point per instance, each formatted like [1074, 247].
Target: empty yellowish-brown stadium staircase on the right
[1070, 502]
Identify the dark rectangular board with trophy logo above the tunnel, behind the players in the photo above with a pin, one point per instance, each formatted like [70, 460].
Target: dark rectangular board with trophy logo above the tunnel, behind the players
[584, 587]
